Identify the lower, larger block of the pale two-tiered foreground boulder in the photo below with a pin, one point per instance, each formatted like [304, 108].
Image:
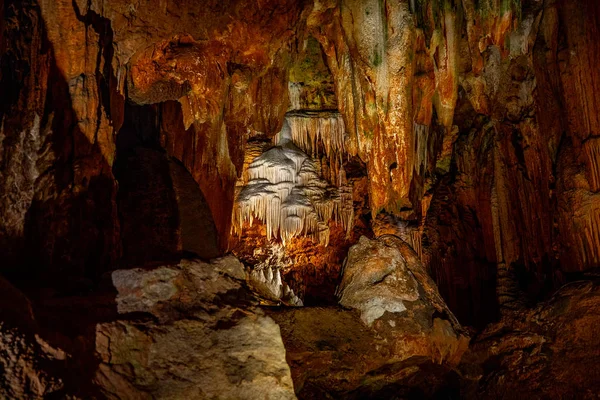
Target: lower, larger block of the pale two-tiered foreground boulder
[189, 360]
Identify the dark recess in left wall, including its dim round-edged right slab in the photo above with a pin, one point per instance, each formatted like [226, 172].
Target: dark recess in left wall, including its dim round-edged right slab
[162, 210]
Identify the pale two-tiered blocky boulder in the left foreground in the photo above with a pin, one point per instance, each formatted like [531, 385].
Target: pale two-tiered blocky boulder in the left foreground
[210, 341]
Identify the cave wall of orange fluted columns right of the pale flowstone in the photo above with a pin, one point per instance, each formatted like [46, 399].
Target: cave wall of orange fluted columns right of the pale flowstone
[477, 121]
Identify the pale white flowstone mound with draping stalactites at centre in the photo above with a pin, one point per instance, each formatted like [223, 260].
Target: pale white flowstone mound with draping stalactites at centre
[285, 191]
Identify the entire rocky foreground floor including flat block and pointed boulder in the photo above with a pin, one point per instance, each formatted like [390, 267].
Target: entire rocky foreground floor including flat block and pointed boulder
[200, 330]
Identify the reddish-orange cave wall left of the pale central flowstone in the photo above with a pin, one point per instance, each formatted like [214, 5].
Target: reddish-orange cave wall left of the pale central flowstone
[68, 70]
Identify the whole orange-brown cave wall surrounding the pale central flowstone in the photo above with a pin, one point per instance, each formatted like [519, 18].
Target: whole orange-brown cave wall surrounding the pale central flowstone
[478, 123]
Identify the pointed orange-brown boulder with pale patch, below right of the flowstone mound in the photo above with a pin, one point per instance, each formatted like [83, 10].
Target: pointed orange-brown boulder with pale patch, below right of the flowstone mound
[385, 281]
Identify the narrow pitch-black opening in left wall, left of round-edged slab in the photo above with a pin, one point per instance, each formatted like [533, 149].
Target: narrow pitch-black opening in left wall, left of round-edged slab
[146, 200]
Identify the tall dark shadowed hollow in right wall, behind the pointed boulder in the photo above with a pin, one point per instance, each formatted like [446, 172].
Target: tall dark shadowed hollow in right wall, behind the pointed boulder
[456, 237]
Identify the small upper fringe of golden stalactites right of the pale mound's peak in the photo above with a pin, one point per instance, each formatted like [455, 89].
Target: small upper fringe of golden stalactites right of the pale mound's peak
[311, 128]
